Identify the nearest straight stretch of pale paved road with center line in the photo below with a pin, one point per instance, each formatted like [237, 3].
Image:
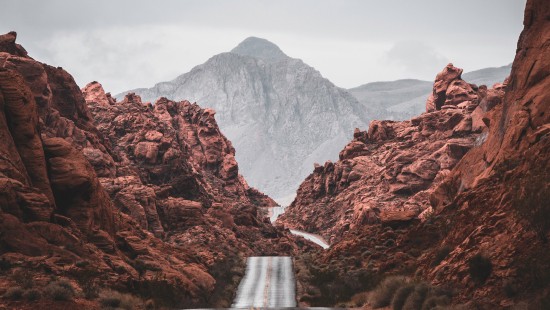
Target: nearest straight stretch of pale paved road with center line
[268, 282]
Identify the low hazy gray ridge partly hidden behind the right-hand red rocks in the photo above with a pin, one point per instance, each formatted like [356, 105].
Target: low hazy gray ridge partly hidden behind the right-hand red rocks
[403, 99]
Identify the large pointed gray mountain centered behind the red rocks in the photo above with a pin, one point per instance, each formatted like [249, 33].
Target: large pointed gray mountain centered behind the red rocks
[281, 114]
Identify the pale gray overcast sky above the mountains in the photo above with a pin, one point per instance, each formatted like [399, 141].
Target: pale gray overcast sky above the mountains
[128, 44]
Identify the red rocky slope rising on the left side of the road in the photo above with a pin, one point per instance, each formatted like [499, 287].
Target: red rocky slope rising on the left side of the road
[117, 194]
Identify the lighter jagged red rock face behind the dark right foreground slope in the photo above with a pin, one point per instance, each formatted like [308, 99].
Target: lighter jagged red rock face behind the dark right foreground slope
[386, 174]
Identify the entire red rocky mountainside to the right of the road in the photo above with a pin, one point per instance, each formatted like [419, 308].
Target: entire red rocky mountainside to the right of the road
[466, 212]
